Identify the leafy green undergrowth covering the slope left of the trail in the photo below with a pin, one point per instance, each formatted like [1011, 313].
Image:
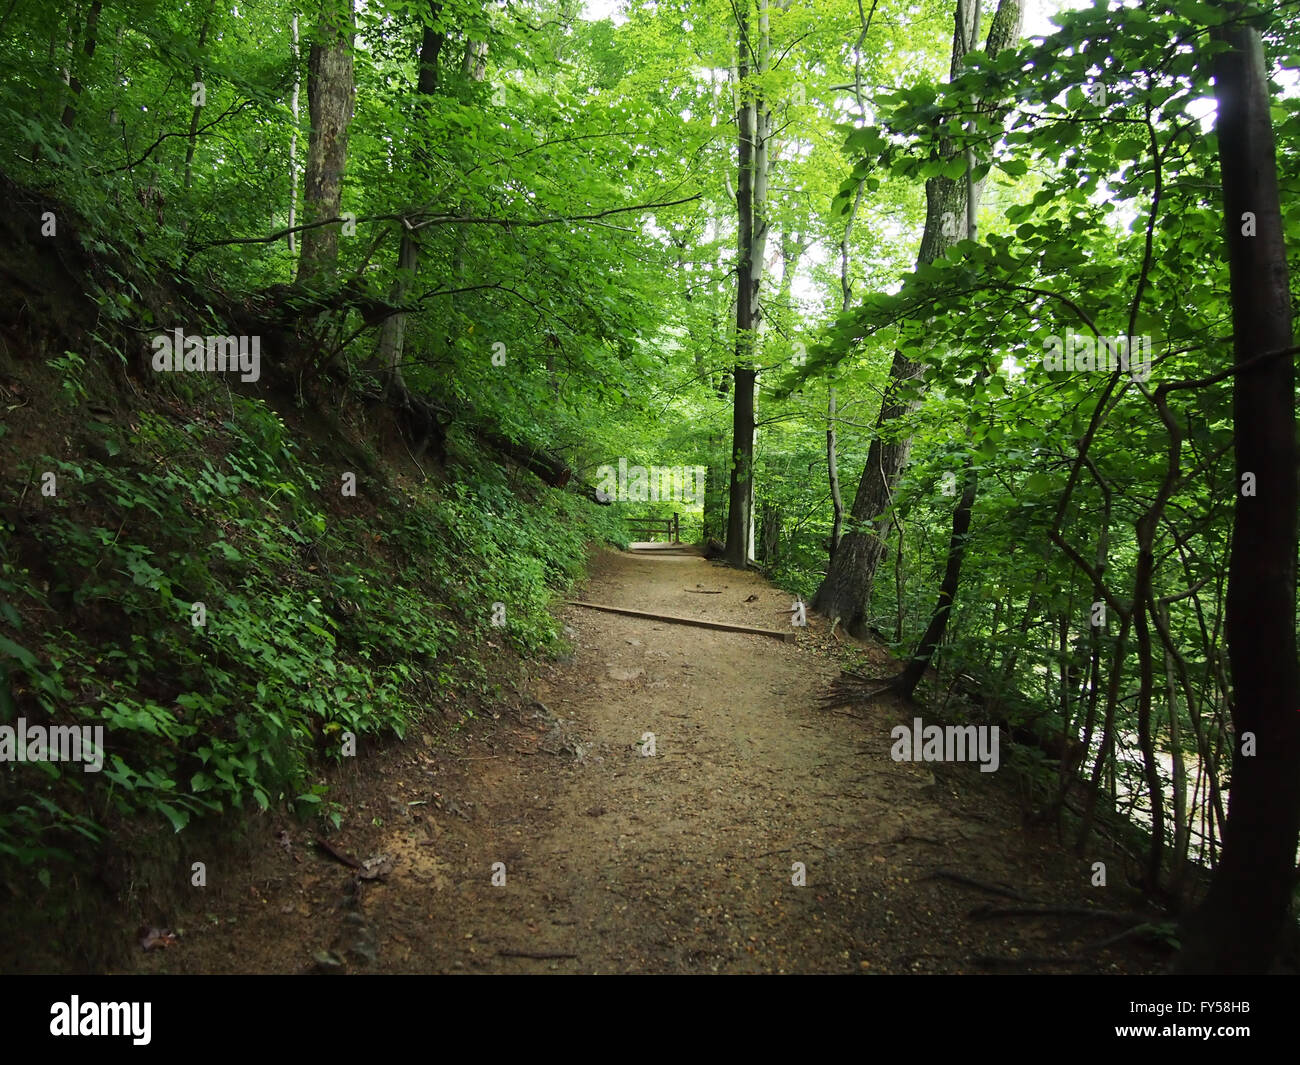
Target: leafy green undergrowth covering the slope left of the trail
[314, 624]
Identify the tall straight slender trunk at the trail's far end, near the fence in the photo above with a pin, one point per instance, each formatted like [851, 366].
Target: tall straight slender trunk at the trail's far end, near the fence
[755, 123]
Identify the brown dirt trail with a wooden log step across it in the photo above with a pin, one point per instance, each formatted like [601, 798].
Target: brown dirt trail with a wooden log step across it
[681, 861]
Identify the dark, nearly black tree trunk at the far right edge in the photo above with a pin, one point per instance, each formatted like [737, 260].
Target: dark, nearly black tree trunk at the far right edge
[1240, 925]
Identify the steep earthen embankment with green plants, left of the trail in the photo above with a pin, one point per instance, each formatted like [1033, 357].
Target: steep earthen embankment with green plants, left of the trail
[235, 586]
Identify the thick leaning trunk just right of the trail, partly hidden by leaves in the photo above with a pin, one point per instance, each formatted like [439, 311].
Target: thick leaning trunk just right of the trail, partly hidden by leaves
[846, 591]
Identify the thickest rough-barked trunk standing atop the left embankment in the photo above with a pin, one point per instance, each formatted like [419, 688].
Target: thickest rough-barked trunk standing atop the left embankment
[331, 93]
